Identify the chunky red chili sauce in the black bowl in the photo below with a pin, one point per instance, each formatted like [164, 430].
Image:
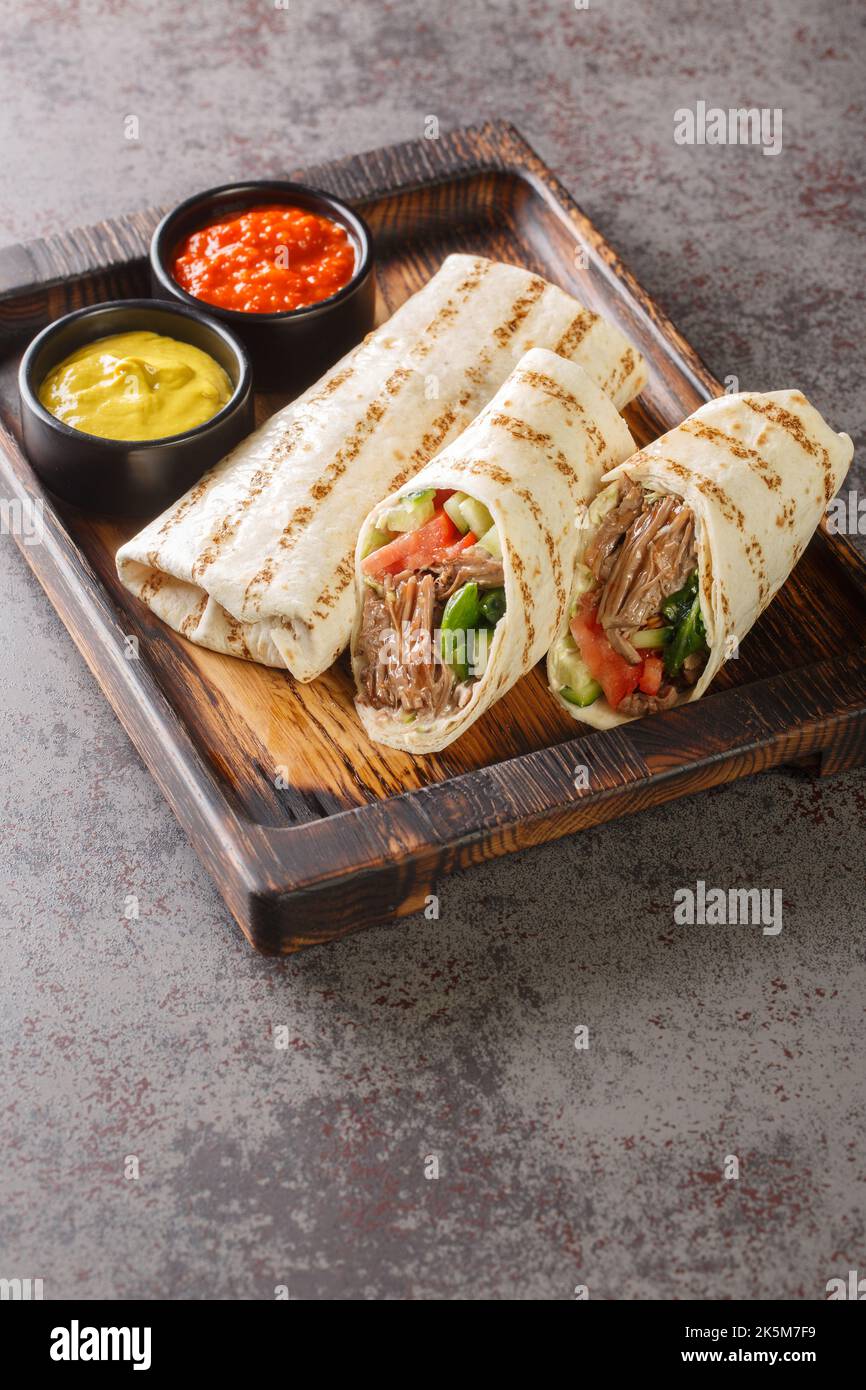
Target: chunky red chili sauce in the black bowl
[266, 261]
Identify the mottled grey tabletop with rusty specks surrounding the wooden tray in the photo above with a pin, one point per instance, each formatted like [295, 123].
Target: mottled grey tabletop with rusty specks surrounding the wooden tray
[455, 1038]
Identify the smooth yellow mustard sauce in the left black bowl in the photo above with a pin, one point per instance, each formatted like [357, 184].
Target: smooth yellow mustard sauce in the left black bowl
[136, 387]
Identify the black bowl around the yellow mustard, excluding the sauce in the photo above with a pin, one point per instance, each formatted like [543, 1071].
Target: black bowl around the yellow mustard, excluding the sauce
[119, 476]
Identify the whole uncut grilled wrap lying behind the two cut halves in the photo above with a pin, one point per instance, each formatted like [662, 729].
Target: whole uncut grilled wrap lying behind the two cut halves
[256, 561]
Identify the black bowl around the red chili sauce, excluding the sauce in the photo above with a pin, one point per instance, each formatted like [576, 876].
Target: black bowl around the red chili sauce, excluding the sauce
[293, 348]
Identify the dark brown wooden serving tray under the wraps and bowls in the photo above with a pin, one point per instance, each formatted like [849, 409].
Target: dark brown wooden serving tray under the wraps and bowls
[309, 829]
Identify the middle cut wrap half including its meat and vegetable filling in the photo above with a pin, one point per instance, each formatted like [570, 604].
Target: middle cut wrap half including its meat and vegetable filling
[515, 483]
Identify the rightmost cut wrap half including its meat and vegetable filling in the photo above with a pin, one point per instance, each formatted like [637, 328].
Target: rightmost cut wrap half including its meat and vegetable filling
[686, 547]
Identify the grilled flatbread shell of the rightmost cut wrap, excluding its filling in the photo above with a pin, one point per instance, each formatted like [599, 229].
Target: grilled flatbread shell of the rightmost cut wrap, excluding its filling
[758, 473]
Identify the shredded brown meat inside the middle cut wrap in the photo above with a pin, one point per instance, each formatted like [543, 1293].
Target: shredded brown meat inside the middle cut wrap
[401, 668]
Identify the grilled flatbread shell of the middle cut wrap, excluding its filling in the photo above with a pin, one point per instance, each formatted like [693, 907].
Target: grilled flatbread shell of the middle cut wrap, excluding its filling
[534, 458]
